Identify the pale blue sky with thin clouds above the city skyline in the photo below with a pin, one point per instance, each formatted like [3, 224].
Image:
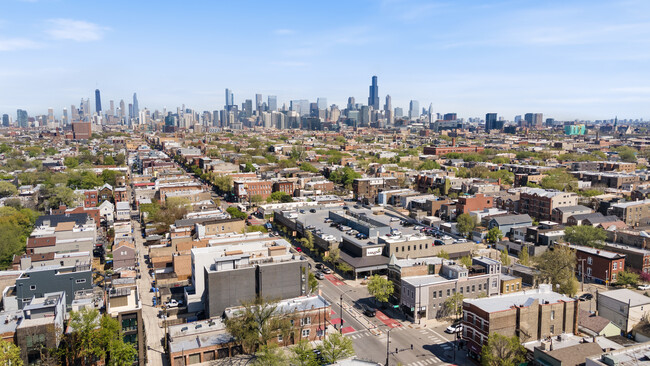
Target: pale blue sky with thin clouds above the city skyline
[566, 59]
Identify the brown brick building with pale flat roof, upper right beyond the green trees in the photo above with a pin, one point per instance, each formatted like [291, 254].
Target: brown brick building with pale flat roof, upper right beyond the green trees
[540, 203]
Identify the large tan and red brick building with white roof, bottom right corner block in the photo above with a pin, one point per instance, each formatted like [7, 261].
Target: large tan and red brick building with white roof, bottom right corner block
[530, 315]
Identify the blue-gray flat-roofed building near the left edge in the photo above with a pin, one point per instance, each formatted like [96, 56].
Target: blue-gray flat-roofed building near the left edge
[37, 282]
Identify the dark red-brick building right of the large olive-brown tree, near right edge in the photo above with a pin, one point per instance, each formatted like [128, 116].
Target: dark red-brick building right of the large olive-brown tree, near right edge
[599, 265]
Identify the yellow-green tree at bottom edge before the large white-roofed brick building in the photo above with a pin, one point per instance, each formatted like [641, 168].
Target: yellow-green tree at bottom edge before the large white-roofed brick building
[502, 351]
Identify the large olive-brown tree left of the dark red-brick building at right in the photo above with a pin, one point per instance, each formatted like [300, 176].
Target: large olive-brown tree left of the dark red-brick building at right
[557, 267]
